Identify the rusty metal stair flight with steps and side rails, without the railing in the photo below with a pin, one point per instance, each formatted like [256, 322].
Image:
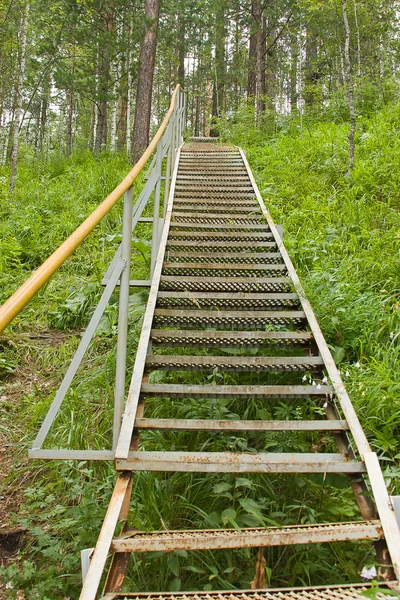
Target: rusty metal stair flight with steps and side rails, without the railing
[224, 280]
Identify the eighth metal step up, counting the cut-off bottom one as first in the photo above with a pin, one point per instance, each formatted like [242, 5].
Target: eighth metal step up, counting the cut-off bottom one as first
[227, 319]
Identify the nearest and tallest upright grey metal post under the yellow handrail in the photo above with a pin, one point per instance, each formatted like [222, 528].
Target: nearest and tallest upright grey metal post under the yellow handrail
[119, 395]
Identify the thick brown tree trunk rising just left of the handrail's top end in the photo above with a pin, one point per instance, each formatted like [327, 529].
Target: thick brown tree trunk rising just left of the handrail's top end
[141, 127]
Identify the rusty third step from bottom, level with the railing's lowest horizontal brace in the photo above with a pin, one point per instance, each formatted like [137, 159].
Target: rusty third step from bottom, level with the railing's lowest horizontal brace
[240, 462]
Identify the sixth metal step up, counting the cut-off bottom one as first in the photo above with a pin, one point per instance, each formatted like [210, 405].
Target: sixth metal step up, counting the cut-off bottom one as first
[235, 363]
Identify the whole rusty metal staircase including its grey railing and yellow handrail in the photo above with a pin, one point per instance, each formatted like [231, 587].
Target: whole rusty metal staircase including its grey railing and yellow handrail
[227, 321]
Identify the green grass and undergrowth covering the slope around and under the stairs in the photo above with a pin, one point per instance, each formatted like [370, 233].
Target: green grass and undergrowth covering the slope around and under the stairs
[343, 235]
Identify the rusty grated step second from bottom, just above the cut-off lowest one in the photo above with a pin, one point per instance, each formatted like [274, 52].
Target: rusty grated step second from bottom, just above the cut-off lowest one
[217, 539]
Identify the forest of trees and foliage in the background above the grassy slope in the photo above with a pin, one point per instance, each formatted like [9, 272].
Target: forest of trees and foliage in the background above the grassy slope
[70, 68]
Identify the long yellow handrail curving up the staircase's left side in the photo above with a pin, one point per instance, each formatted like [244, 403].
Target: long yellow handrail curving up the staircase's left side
[15, 303]
